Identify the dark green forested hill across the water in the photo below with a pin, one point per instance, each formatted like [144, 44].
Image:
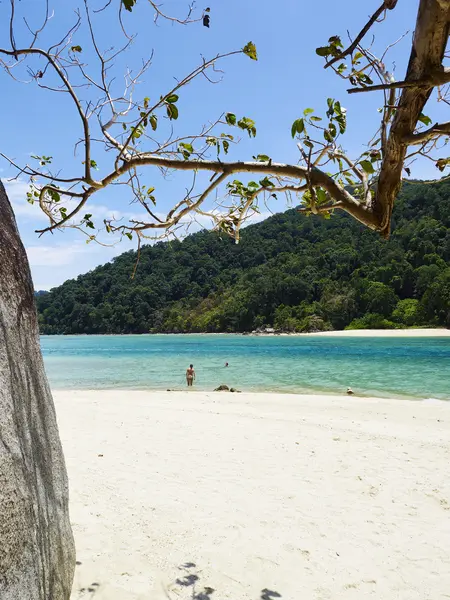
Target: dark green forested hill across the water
[290, 272]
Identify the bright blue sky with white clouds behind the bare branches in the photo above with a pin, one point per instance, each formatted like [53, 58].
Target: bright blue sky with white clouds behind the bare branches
[287, 78]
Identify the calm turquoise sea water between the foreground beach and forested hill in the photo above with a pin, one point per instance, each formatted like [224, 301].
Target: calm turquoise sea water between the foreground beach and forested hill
[408, 367]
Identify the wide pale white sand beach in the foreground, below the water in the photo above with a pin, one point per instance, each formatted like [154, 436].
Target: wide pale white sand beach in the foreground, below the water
[257, 496]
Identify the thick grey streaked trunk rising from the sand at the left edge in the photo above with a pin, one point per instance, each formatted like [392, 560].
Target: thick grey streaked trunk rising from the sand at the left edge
[37, 555]
